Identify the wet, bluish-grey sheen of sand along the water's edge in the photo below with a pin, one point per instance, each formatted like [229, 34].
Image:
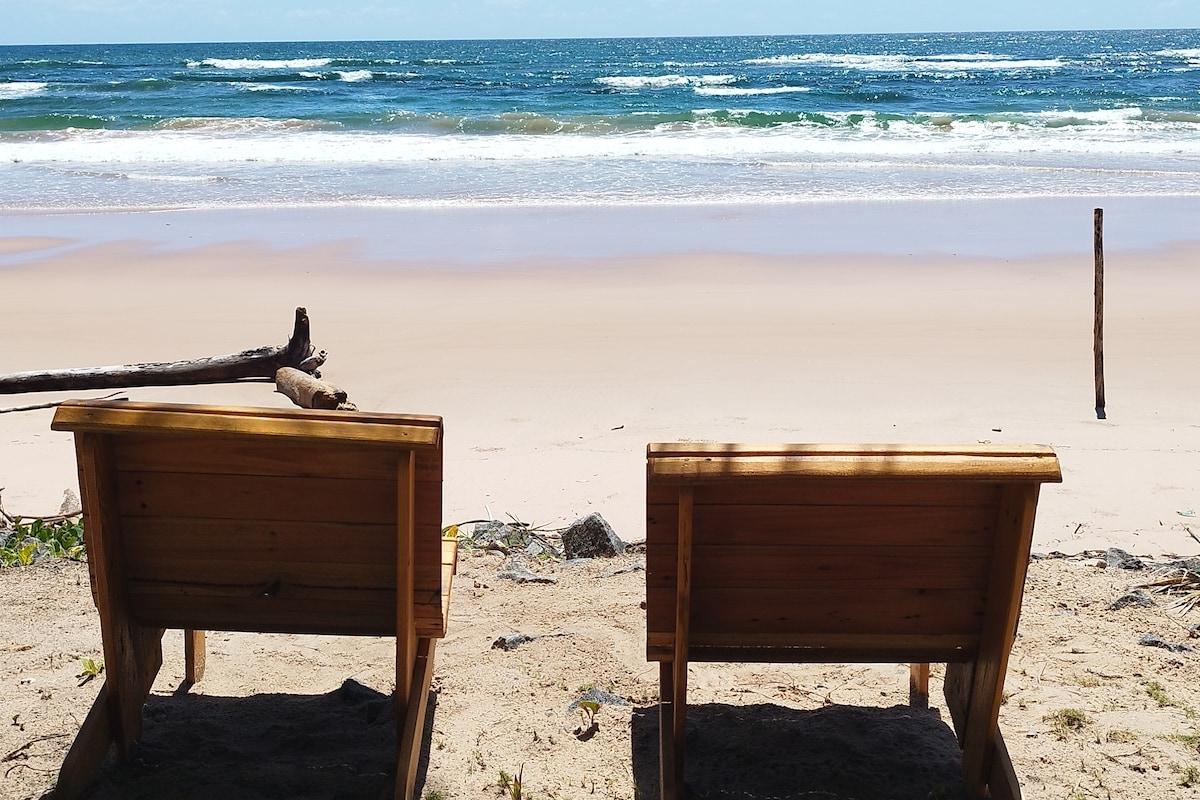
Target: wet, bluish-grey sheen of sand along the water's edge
[505, 236]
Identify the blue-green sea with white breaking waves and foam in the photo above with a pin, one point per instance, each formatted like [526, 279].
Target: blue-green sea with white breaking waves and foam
[614, 123]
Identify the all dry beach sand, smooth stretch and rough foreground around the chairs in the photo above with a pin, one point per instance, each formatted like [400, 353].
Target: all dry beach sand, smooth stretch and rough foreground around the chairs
[553, 376]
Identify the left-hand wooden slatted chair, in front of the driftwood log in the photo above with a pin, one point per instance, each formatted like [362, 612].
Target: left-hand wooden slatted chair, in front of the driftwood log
[256, 520]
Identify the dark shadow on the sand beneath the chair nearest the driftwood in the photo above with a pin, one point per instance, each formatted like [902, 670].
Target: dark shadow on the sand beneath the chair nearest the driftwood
[340, 745]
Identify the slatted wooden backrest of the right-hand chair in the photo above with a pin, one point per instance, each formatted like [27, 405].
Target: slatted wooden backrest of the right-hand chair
[819, 554]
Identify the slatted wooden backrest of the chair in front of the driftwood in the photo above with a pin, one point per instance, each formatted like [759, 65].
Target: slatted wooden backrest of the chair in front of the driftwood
[268, 520]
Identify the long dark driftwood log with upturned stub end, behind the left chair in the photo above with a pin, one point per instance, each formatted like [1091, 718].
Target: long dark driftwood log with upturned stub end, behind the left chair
[257, 364]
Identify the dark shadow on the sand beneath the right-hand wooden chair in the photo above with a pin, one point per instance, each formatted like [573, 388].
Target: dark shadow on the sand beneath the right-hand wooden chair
[837, 753]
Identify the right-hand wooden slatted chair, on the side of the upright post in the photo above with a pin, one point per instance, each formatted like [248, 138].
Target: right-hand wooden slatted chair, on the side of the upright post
[855, 554]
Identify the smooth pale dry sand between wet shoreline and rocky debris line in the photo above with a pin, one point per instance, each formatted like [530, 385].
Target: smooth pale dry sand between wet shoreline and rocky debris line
[555, 374]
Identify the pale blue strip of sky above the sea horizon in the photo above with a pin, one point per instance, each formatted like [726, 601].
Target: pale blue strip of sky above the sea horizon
[69, 22]
